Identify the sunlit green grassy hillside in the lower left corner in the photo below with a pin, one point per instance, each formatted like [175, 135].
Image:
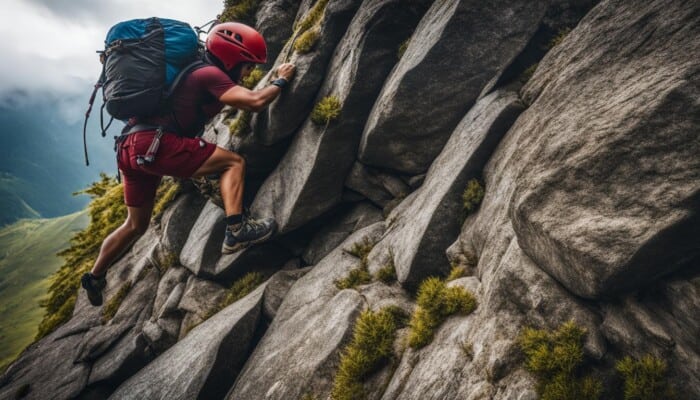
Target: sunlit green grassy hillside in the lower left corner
[27, 258]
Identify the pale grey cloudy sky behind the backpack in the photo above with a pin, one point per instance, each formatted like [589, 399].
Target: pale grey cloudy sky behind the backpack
[49, 46]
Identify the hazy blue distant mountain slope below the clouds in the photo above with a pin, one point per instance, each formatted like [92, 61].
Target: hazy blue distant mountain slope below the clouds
[42, 155]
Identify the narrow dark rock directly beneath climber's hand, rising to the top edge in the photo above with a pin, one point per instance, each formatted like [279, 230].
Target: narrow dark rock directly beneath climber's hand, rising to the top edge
[286, 114]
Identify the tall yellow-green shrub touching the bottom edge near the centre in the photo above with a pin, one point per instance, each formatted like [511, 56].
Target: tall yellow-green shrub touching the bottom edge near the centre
[371, 346]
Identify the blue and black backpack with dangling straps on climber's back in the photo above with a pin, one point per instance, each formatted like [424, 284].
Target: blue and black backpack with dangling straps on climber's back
[143, 62]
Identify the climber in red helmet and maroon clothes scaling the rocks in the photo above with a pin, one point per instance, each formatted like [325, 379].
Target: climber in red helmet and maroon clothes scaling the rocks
[232, 50]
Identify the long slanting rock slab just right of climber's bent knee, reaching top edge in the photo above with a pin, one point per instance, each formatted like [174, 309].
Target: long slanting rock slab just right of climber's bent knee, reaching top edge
[309, 180]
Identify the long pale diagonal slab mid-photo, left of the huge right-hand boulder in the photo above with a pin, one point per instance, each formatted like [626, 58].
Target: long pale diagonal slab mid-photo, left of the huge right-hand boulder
[421, 229]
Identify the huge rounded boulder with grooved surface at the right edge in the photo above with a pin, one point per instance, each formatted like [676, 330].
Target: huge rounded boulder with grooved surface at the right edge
[609, 194]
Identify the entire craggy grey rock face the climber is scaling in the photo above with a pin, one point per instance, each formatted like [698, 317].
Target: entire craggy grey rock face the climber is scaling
[590, 213]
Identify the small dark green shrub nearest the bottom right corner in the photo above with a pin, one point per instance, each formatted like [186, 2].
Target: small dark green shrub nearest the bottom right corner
[645, 379]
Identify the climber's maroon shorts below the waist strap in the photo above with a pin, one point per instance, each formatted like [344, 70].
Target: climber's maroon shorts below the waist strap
[177, 156]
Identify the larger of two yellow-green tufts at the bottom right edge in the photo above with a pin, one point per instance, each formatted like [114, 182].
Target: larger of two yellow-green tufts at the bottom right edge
[556, 360]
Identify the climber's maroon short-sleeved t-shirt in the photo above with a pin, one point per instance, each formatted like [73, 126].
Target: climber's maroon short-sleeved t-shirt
[195, 101]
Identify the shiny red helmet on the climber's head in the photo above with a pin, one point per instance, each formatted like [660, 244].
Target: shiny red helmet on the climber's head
[233, 43]
